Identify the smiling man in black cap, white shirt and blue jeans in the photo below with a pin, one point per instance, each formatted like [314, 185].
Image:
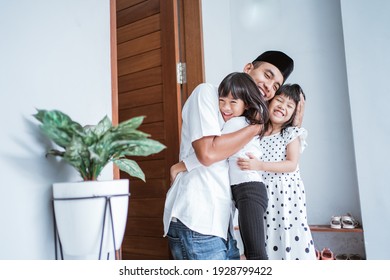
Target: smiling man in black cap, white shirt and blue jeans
[198, 207]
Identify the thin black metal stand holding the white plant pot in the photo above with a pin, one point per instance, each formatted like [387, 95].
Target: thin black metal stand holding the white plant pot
[107, 207]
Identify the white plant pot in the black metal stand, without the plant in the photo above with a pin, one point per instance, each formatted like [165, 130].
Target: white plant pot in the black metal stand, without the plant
[80, 209]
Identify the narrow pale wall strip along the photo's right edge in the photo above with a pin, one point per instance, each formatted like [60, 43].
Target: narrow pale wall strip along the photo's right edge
[367, 43]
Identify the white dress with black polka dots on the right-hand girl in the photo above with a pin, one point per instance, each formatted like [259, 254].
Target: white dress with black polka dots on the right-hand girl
[288, 236]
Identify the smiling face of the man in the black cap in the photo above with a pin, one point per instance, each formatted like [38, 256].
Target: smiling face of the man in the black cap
[267, 77]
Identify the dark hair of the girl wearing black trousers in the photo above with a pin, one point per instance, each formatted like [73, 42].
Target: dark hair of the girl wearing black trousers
[242, 86]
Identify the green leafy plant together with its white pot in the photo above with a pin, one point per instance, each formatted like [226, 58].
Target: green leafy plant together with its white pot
[90, 216]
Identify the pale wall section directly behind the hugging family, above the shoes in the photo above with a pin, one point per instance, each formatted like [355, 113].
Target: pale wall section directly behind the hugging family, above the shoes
[311, 32]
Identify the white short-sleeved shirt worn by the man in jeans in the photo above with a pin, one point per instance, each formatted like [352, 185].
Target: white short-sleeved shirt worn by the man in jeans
[201, 199]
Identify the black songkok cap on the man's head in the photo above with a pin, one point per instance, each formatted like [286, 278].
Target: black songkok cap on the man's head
[280, 60]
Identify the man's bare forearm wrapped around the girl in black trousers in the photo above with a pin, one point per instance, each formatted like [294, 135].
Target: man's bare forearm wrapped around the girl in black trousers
[211, 149]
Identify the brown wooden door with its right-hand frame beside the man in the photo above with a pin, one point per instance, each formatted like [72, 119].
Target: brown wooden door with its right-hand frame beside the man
[149, 46]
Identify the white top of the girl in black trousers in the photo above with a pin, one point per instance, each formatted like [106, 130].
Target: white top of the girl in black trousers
[237, 175]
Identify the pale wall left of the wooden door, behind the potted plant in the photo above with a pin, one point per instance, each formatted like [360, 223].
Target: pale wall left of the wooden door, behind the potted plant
[53, 55]
